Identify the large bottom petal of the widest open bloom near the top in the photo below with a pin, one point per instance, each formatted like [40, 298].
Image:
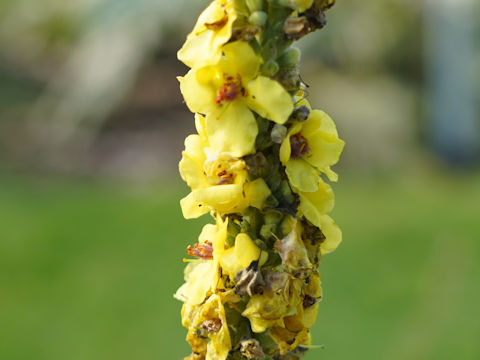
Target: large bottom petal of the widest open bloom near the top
[234, 130]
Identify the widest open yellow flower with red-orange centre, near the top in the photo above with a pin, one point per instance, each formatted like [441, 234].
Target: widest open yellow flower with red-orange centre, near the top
[228, 90]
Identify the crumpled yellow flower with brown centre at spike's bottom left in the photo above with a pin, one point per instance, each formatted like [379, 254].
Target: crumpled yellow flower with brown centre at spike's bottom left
[208, 321]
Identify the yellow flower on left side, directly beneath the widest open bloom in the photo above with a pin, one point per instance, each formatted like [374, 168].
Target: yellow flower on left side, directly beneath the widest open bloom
[218, 180]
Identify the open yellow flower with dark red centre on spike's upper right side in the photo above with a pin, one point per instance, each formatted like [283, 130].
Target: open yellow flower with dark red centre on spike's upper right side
[309, 148]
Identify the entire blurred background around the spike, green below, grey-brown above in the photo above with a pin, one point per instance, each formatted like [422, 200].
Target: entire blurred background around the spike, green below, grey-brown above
[92, 127]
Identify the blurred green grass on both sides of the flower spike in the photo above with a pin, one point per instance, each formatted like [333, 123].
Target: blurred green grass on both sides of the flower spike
[87, 270]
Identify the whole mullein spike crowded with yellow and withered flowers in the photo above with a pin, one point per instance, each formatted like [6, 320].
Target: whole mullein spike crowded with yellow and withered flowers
[257, 164]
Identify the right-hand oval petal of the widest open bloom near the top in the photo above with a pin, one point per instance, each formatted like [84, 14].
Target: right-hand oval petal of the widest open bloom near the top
[269, 99]
